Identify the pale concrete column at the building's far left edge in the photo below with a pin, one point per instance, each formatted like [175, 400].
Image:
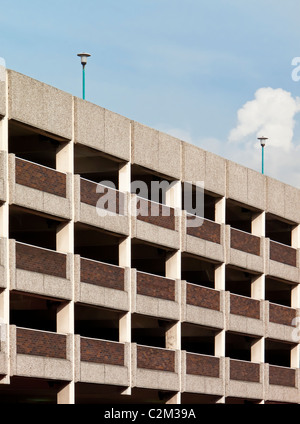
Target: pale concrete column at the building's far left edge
[4, 232]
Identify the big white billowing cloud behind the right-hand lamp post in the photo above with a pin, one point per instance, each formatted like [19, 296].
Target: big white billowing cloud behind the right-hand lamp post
[272, 113]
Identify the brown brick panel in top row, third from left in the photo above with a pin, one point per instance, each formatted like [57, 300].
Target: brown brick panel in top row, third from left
[156, 214]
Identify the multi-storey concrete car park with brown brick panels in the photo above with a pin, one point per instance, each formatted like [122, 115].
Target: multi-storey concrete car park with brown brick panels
[138, 309]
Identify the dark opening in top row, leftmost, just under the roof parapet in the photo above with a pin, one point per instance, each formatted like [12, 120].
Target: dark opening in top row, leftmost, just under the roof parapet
[33, 145]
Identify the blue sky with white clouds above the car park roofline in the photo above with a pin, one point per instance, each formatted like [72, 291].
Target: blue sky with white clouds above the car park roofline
[187, 67]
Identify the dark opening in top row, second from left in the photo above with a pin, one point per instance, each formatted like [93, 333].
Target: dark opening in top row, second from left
[96, 166]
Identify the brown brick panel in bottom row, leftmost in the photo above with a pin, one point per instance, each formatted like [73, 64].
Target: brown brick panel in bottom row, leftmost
[37, 343]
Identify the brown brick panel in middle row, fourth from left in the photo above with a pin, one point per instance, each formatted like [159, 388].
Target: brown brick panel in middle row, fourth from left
[202, 297]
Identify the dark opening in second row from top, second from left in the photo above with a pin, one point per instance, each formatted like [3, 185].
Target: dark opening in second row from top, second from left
[98, 245]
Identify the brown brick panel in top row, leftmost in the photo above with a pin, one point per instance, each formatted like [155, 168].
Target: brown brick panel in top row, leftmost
[41, 178]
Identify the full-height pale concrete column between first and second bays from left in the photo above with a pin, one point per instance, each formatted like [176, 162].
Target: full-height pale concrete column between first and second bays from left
[65, 318]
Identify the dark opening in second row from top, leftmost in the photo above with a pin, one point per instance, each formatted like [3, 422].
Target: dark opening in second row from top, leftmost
[33, 228]
